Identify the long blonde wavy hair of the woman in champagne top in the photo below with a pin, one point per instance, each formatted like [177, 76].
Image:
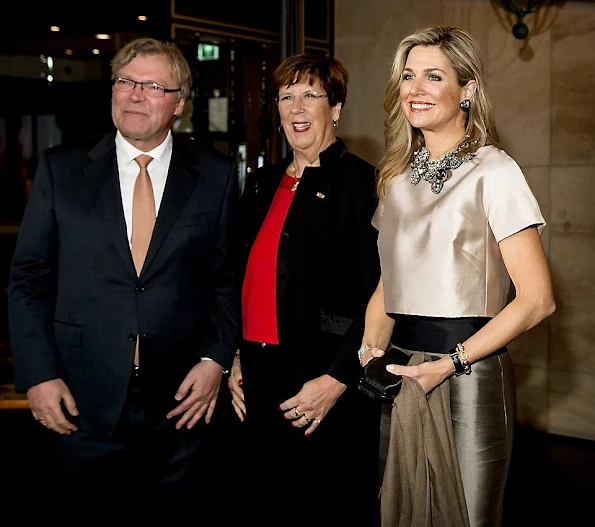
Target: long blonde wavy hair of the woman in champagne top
[401, 139]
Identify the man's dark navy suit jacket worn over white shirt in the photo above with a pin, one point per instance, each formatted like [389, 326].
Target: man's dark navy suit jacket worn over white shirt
[76, 303]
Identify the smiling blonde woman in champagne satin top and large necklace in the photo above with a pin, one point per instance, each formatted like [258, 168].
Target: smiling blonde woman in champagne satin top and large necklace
[457, 221]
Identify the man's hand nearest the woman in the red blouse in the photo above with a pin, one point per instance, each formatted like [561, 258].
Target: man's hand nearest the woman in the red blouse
[198, 393]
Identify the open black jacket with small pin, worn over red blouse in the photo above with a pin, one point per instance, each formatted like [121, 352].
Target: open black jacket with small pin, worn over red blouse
[328, 264]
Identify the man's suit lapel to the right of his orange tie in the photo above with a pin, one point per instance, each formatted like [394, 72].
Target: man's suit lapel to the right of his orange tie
[181, 180]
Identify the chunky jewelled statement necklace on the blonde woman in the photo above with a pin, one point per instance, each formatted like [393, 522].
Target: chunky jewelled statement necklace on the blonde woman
[437, 172]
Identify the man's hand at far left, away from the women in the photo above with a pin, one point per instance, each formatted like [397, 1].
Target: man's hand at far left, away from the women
[45, 401]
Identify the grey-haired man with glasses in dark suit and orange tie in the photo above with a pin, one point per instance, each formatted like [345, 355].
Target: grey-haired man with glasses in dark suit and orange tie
[122, 306]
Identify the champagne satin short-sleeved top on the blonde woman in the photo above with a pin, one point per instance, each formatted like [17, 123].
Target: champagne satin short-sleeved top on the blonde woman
[439, 253]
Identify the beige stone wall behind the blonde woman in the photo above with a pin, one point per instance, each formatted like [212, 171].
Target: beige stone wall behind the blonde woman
[543, 91]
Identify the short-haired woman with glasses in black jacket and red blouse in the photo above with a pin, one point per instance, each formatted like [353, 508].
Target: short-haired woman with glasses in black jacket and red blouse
[309, 264]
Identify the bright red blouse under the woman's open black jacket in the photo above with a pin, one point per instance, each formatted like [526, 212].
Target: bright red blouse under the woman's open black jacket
[259, 291]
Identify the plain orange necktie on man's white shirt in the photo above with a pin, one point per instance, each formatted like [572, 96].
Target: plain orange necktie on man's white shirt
[143, 219]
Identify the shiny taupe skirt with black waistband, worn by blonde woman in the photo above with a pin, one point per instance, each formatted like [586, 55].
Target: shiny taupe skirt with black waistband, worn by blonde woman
[482, 407]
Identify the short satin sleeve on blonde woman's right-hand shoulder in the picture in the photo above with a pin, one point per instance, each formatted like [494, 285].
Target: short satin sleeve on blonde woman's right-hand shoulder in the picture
[509, 203]
